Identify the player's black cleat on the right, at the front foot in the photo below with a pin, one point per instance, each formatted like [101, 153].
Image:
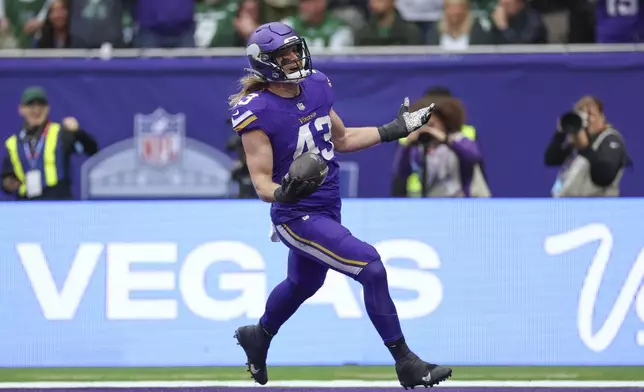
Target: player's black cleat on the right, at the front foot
[413, 372]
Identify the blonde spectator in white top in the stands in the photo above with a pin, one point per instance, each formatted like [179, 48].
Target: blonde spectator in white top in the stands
[459, 28]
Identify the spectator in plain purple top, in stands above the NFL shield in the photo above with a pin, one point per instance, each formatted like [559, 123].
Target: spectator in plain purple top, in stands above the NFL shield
[165, 23]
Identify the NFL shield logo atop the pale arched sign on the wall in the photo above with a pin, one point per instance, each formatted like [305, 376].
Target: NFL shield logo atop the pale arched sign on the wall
[160, 137]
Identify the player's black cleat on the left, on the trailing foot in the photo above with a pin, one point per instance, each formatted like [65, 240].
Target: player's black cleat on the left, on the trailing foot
[255, 343]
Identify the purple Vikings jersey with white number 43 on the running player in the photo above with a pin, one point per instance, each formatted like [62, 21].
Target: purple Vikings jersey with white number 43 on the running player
[294, 126]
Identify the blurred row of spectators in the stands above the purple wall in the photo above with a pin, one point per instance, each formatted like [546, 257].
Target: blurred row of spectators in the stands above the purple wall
[450, 24]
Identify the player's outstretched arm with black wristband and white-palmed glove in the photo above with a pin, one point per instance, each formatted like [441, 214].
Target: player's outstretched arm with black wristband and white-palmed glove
[355, 139]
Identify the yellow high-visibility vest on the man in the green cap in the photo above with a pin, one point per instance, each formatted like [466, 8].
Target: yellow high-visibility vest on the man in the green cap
[48, 158]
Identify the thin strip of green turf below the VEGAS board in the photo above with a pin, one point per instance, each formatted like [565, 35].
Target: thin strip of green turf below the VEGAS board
[367, 373]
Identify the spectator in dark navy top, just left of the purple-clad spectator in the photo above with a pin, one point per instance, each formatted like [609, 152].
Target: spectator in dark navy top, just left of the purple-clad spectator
[93, 23]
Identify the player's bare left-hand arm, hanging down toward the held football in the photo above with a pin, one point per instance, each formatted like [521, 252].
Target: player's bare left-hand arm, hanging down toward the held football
[259, 158]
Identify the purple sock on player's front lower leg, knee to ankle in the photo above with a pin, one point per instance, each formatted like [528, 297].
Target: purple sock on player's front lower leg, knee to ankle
[380, 306]
